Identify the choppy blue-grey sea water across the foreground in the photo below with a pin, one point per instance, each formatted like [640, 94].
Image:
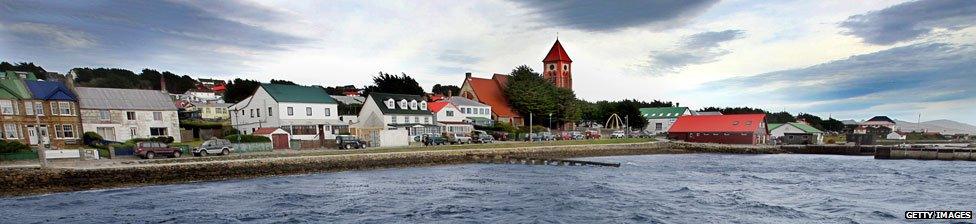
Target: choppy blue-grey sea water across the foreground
[691, 188]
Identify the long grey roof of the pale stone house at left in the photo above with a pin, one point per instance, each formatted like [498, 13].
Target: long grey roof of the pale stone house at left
[123, 99]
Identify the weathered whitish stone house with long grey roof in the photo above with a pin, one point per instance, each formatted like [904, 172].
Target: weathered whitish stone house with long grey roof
[123, 114]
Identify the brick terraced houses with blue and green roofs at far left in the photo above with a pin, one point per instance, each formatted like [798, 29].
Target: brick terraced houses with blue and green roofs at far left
[39, 112]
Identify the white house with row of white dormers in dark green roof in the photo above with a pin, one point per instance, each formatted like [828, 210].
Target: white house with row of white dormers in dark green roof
[397, 111]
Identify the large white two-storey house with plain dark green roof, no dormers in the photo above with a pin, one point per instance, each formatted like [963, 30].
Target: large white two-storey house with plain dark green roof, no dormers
[305, 112]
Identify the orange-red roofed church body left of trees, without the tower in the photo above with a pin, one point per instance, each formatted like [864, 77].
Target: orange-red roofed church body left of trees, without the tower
[492, 93]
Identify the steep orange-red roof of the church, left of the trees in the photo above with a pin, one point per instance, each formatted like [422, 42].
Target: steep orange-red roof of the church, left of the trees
[491, 92]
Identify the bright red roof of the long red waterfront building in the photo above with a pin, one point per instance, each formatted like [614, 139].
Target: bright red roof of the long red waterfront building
[718, 123]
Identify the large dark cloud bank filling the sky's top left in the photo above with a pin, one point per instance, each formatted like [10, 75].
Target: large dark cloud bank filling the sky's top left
[117, 31]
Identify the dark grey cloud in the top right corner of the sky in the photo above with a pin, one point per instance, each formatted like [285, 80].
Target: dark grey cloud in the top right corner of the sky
[910, 20]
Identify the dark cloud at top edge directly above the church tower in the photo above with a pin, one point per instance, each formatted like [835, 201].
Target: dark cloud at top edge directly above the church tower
[615, 15]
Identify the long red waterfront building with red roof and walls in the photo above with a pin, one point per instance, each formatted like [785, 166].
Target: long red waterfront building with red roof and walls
[725, 129]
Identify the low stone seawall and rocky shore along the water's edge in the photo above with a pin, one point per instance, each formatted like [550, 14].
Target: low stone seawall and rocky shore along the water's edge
[28, 181]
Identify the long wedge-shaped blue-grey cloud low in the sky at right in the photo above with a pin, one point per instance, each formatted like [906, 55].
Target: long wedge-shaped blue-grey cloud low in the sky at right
[923, 73]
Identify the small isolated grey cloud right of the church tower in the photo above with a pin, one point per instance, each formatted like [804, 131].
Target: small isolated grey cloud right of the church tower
[698, 48]
